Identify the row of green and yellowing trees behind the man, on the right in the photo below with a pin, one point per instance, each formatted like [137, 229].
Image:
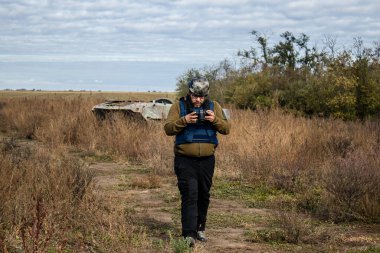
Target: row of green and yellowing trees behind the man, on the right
[338, 82]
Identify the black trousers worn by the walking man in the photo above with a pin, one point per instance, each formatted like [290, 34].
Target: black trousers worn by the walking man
[194, 176]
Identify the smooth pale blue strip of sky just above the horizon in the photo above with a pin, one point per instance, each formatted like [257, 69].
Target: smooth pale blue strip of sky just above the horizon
[107, 76]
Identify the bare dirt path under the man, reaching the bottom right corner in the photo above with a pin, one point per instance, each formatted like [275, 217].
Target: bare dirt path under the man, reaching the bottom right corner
[153, 202]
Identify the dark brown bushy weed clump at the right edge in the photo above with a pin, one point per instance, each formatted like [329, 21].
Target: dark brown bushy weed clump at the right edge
[352, 185]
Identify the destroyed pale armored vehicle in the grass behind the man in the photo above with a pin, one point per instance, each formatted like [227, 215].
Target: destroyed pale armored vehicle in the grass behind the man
[153, 110]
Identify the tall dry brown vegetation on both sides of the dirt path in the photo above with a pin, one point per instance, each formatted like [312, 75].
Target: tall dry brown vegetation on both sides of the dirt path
[328, 168]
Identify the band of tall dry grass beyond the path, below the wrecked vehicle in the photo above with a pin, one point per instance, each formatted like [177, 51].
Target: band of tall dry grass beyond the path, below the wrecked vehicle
[61, 122]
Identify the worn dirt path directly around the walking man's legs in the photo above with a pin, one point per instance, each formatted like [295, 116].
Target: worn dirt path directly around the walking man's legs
[158, 208]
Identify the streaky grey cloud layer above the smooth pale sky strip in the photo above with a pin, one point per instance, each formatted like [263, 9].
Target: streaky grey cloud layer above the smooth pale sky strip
[194, 31]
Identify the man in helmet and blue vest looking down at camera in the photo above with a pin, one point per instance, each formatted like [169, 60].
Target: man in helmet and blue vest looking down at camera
[195, 121]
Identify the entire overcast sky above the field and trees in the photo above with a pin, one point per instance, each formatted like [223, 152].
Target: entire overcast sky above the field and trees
[145, 45]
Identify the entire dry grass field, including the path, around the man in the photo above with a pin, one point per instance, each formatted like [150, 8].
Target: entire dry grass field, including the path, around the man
[71, 183]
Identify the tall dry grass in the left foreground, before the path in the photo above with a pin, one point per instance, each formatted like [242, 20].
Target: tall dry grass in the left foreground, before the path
[48, 204]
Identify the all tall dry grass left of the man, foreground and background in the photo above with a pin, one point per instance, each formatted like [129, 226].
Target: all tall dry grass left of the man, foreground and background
[47, 199]
